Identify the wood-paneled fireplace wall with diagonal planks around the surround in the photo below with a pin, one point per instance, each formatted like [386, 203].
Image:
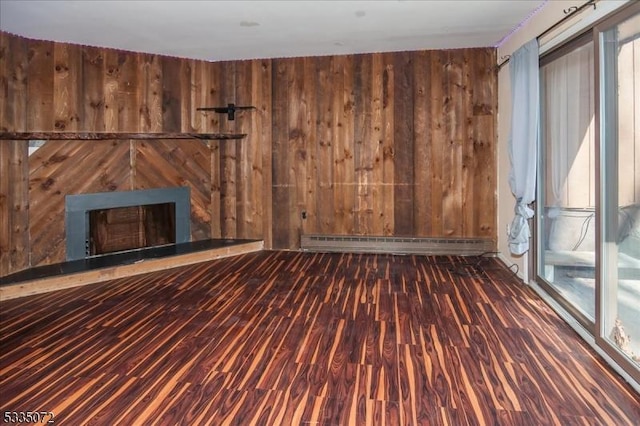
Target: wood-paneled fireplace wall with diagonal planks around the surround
[84, 93]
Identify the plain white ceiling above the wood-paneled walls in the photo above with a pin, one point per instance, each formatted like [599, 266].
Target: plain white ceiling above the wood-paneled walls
[227, 30]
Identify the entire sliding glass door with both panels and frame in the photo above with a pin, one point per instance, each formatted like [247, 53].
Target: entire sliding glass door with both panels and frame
[588, 209]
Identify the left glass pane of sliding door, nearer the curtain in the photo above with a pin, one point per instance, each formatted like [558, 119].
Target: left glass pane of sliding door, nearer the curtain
[567, 205]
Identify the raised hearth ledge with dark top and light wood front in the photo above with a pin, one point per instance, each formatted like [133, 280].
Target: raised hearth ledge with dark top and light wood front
[135, 266]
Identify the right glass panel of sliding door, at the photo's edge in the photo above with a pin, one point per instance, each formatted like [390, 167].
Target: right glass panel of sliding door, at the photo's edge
[620, 307]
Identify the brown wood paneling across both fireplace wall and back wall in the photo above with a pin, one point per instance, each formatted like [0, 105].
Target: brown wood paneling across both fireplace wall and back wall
[376, 144]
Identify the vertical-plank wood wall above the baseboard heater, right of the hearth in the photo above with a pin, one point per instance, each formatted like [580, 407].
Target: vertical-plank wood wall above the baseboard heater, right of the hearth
[384, 144]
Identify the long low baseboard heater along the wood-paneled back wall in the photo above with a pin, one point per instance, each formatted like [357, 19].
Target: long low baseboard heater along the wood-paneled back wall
[396, 245]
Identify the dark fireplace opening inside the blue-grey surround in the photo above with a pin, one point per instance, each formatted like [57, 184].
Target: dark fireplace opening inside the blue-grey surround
[129, 228]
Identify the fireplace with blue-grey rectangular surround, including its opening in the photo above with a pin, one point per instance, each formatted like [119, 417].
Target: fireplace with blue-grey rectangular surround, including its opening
[110, 222]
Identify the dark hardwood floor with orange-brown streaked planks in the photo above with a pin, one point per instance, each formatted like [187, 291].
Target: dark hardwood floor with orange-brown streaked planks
[303, 338]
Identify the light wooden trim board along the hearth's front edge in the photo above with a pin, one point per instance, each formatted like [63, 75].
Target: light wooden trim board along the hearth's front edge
[44, 285]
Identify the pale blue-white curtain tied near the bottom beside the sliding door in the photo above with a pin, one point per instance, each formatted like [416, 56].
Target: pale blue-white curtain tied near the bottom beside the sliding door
[523, 140]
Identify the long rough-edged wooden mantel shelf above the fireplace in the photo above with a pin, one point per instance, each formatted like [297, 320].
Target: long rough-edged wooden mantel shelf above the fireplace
[112, 136]
